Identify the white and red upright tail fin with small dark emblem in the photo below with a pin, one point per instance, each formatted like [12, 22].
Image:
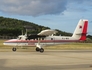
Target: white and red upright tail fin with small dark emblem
[81, 30]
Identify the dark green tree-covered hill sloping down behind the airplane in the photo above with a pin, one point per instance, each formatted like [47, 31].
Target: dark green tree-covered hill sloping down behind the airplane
[14, 27]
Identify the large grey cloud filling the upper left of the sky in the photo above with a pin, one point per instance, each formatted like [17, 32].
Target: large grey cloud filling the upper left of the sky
[33, 7]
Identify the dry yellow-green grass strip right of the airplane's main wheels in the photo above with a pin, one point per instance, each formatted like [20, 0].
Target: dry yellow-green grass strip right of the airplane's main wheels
[73, 46]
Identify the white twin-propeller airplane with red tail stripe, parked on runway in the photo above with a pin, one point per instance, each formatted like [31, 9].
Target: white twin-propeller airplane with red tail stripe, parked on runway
[46, 37]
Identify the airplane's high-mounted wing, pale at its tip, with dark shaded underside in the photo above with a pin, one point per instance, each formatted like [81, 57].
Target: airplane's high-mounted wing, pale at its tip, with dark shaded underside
[42, 34]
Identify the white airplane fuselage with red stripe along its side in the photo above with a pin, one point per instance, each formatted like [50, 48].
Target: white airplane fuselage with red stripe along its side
[50, 40]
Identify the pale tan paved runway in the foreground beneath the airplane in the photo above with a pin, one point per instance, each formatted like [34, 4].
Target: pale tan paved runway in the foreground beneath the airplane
[49, 60]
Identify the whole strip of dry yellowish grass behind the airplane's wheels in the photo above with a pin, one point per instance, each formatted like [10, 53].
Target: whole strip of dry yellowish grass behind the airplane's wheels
[70, 46]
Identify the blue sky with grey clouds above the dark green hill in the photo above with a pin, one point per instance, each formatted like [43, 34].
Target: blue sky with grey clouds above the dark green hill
[56, 14]
